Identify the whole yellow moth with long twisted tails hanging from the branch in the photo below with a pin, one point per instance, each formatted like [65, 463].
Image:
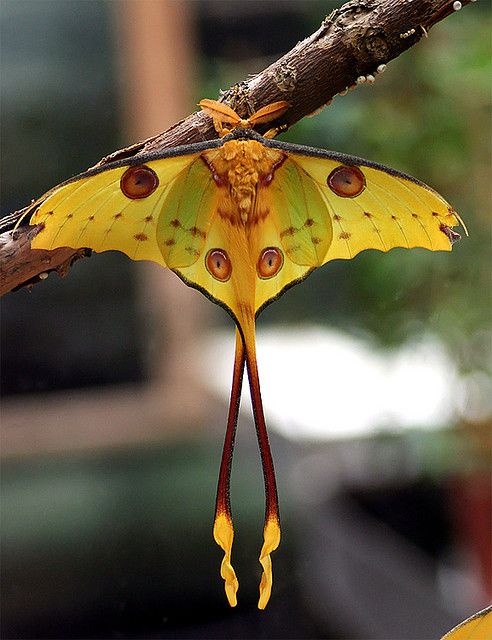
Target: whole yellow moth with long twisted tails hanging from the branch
[242, 218]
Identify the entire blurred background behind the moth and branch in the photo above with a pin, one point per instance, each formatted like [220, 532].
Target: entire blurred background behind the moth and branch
[111, 432]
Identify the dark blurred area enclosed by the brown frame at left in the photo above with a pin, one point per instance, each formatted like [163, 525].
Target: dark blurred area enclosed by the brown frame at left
[59, 115]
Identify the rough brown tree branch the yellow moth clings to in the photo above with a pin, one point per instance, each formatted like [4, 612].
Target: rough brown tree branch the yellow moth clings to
[351, 46]
